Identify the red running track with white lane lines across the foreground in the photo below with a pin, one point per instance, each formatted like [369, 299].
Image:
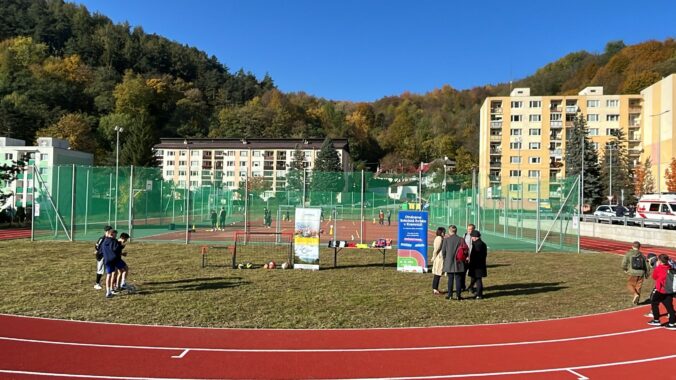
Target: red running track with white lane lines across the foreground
[612, 345]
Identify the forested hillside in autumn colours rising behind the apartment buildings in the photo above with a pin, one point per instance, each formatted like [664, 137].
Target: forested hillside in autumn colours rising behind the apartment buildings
[66, 72]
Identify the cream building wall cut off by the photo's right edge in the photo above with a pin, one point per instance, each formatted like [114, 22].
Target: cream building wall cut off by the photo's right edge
[659, 127]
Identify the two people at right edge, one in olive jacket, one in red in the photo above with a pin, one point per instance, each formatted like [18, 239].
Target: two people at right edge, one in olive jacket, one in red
[639, 267]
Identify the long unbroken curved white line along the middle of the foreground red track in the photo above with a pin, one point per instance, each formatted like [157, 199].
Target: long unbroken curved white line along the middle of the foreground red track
[334, 350]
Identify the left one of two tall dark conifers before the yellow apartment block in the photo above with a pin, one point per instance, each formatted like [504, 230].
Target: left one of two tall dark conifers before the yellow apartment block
[576, 137]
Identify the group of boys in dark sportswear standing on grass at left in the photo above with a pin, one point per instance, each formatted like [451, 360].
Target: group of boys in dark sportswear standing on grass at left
[109, 250]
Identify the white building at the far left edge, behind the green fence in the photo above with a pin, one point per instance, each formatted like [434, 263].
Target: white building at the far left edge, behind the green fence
[47, 153]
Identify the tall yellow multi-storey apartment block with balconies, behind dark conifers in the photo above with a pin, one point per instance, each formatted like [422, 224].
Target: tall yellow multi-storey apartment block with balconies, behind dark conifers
[523, 137]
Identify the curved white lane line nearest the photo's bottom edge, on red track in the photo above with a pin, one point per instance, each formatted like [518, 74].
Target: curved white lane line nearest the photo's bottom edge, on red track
[485, 374]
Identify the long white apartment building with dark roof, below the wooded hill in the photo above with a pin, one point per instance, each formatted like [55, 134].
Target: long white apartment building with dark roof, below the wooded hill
[226, 162]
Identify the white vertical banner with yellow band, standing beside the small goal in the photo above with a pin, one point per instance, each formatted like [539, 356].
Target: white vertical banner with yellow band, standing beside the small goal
[306, 238]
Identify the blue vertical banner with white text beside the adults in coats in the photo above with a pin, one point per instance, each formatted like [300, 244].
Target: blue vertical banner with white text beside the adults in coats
[412, 242]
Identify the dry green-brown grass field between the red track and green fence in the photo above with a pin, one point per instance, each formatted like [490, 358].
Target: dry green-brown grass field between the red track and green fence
[54, 279]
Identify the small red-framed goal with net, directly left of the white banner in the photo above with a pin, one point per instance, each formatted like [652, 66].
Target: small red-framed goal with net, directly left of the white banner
[259, 248]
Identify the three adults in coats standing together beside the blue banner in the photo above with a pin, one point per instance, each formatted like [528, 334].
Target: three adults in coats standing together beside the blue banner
[459, 257]
